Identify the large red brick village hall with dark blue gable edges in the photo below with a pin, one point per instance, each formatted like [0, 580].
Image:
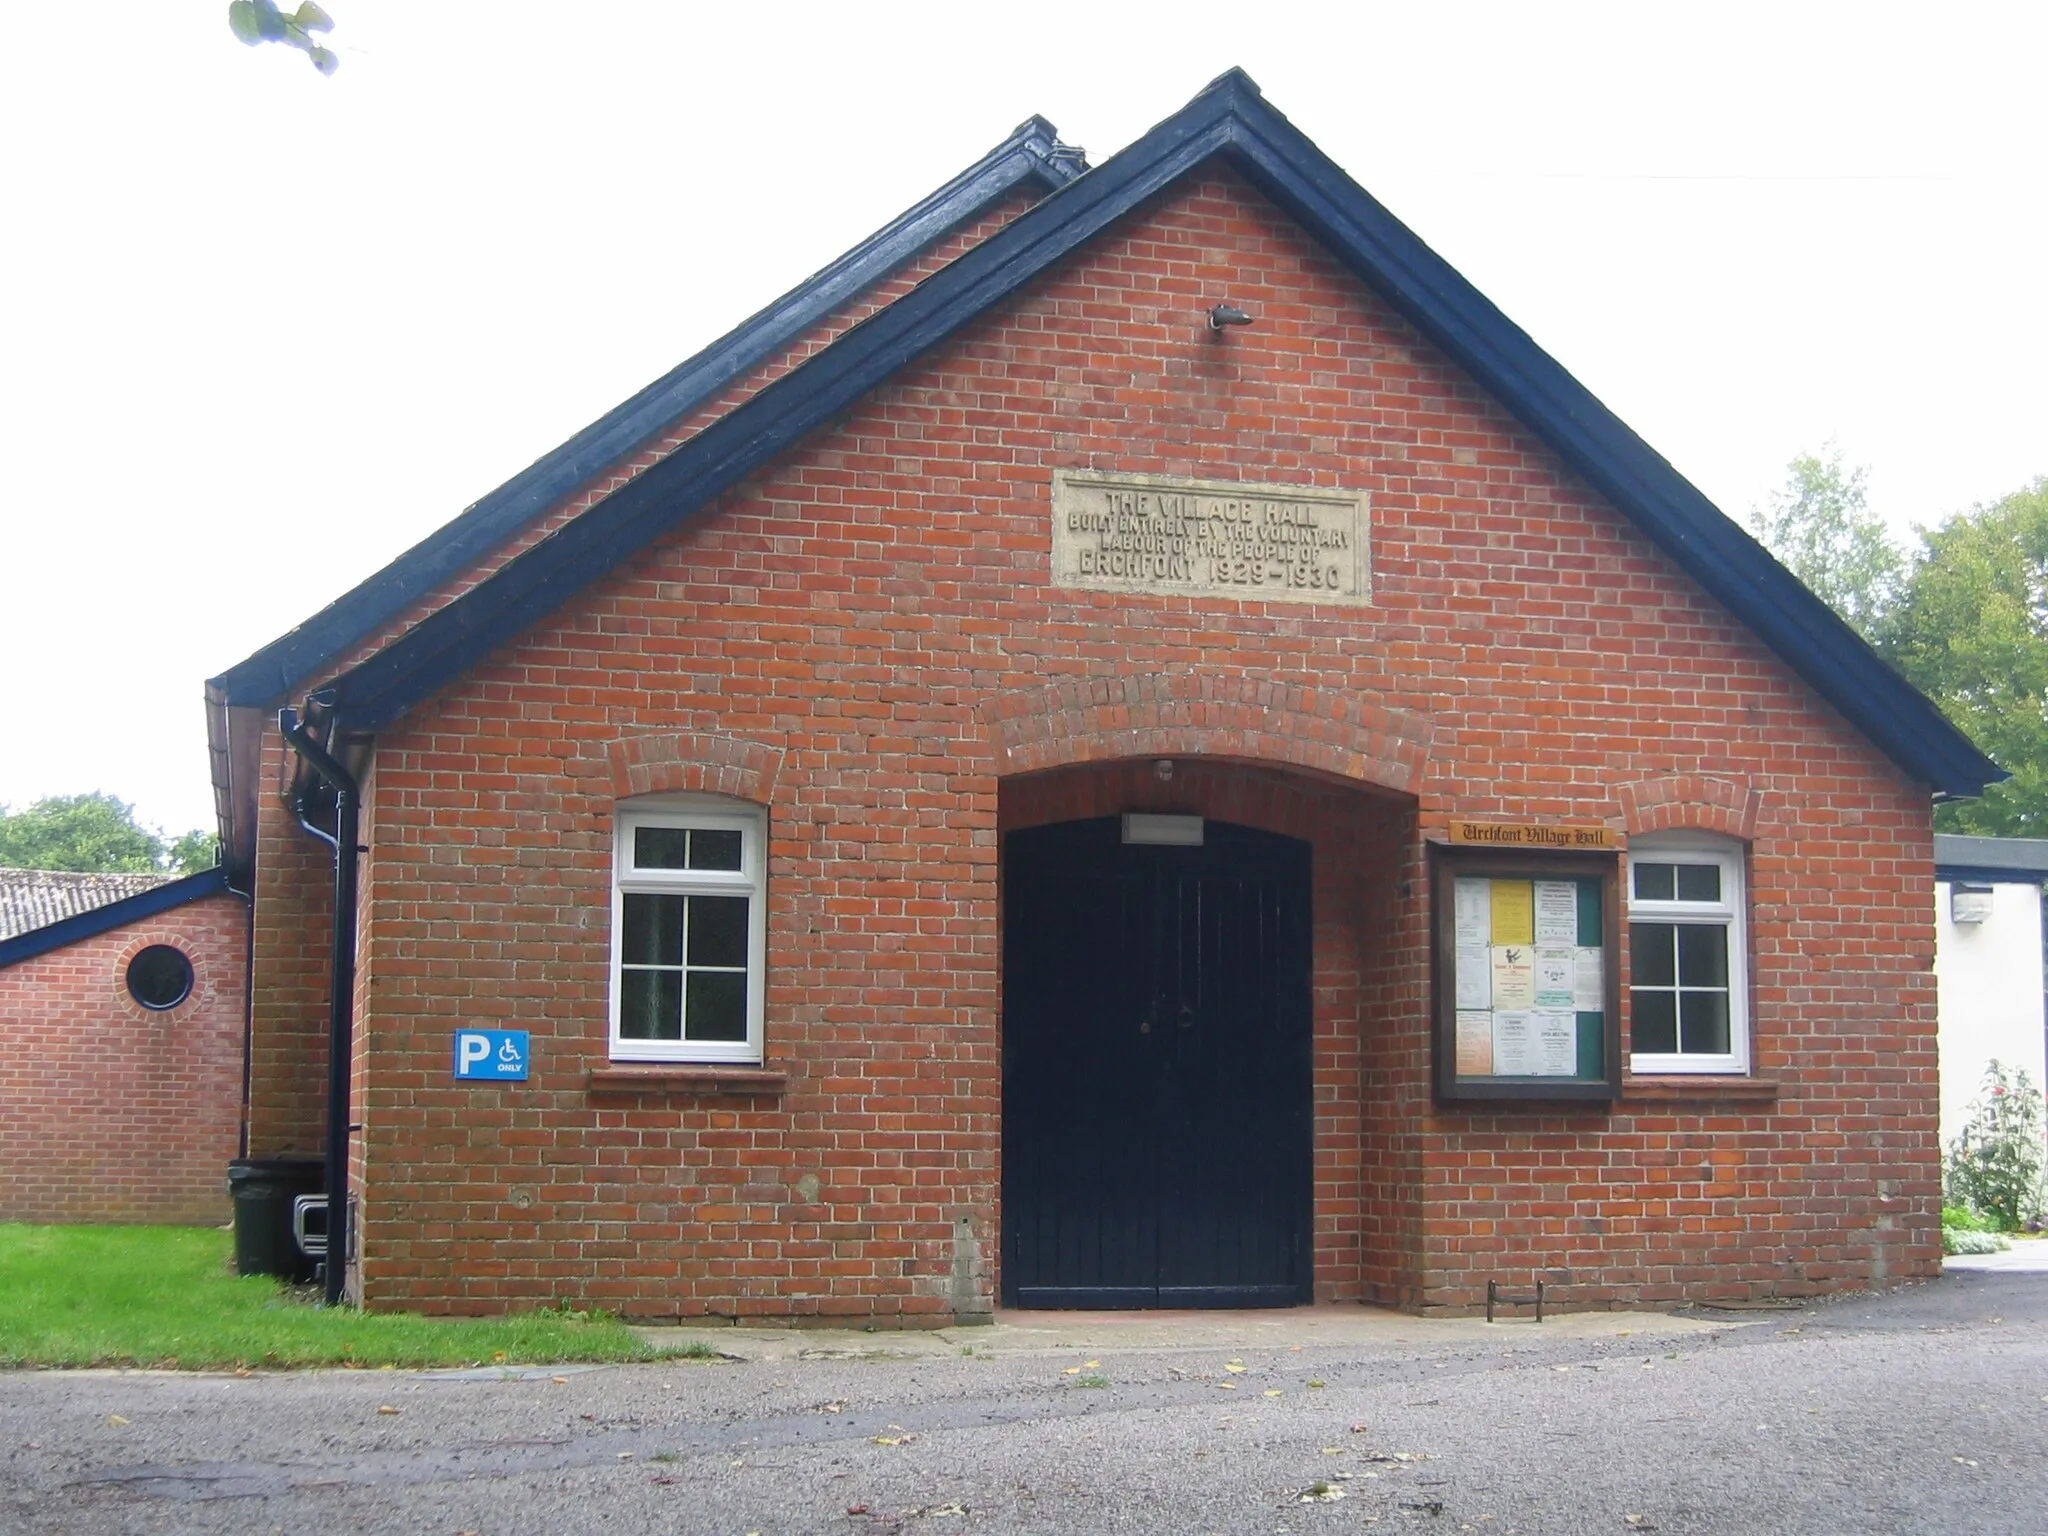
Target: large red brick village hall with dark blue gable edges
[1134, 742]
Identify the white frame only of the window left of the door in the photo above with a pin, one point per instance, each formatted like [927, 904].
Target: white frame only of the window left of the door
[710, 814]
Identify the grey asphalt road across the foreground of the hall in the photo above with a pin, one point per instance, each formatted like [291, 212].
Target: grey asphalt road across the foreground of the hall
[1918, 1412]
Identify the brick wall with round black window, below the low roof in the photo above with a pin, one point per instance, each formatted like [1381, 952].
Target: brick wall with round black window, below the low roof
[112, 1111]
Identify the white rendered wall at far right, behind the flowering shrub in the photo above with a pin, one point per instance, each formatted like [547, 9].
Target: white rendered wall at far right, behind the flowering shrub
[1990, 982]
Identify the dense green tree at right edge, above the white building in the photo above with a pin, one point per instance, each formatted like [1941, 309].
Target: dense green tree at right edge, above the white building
[1971, 630]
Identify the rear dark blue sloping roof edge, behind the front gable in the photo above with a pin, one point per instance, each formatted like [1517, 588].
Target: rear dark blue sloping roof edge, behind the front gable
[1031, 159]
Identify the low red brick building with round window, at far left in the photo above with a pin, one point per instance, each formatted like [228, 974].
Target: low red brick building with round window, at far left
[122, 1013]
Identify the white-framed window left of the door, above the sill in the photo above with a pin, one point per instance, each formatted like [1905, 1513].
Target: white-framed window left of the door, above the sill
[689, 931]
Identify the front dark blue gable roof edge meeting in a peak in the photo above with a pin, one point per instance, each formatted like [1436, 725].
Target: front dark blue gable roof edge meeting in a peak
[1232, 122]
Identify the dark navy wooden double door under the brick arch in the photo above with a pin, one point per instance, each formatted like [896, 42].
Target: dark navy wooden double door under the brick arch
[1156, 1070]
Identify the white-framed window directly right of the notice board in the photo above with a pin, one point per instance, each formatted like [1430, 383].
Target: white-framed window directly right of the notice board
[1689, 976]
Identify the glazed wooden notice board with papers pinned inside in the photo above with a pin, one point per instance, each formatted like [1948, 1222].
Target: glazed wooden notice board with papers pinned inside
[1527, 974]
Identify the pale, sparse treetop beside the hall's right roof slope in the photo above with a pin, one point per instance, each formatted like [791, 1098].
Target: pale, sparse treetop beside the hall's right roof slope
[1822, 529]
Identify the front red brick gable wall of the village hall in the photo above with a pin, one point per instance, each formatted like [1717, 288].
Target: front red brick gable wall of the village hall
[873, 615]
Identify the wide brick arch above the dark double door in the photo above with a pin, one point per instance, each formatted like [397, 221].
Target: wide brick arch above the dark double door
[1195, 716]
